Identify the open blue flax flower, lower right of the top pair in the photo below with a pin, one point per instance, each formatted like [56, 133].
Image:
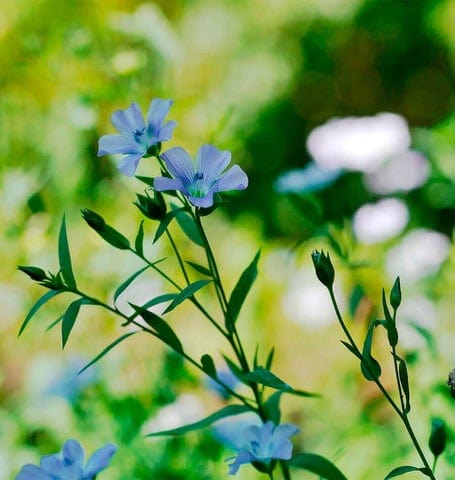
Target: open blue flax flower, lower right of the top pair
[200, 180]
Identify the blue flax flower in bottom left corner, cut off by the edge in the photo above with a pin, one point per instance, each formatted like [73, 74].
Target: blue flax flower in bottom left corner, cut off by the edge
[69, 464]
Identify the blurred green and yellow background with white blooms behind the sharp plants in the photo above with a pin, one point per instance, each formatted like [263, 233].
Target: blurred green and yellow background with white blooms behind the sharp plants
[342, 114]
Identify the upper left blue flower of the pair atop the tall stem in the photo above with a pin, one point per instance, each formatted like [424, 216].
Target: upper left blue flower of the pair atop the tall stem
[137, 138]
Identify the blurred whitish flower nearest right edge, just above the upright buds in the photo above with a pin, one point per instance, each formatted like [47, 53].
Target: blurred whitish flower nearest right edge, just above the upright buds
[419, 254]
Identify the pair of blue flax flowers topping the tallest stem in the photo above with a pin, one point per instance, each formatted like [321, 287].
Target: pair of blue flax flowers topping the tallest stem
[197, 180]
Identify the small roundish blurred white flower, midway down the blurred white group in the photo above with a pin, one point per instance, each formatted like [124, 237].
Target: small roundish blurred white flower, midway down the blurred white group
[373, 223]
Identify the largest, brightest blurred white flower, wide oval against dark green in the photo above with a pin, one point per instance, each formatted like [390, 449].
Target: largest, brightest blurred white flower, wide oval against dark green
[359, 143]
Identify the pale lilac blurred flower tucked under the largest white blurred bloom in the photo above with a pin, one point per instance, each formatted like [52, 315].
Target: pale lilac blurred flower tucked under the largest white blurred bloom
[402, 173]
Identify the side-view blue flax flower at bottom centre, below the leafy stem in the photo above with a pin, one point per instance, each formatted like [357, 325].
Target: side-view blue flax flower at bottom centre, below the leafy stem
[264, 443]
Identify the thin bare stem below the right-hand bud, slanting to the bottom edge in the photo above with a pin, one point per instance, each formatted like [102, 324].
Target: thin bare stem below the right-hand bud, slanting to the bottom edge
[401, 413]
